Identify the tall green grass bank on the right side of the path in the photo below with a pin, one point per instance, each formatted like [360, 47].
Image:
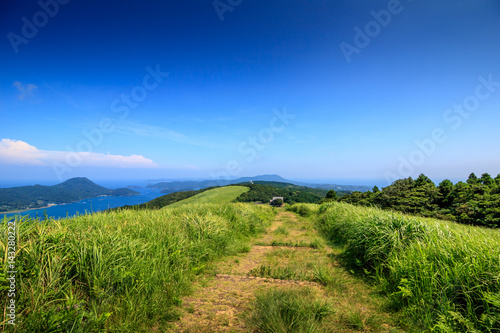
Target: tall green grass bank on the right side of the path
[443, 275]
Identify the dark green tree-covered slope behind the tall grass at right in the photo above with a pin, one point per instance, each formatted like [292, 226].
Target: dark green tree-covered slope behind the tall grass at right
[476, 201]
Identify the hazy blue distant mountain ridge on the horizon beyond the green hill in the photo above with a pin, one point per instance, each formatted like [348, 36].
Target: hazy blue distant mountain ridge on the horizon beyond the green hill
[190, 185]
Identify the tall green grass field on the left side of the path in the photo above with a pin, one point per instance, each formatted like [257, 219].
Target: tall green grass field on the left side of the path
[123, 270]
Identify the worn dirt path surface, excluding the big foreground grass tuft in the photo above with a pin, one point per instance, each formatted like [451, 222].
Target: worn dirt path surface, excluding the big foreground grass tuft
[289, 255]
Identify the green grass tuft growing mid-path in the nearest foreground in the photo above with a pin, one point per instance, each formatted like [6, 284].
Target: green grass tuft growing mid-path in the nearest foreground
[289, 310]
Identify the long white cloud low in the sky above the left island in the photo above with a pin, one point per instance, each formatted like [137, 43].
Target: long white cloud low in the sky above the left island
[16, 152]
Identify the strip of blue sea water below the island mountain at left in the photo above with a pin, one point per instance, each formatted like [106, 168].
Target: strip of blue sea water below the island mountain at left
[91, 205]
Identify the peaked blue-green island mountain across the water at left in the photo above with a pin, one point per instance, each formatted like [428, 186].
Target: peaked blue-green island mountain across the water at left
[36, 196]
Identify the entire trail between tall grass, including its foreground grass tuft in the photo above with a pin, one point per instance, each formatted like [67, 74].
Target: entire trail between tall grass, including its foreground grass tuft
[280, 288]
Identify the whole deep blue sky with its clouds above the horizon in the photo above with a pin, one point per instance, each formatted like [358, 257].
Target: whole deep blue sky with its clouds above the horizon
[346, 91]
